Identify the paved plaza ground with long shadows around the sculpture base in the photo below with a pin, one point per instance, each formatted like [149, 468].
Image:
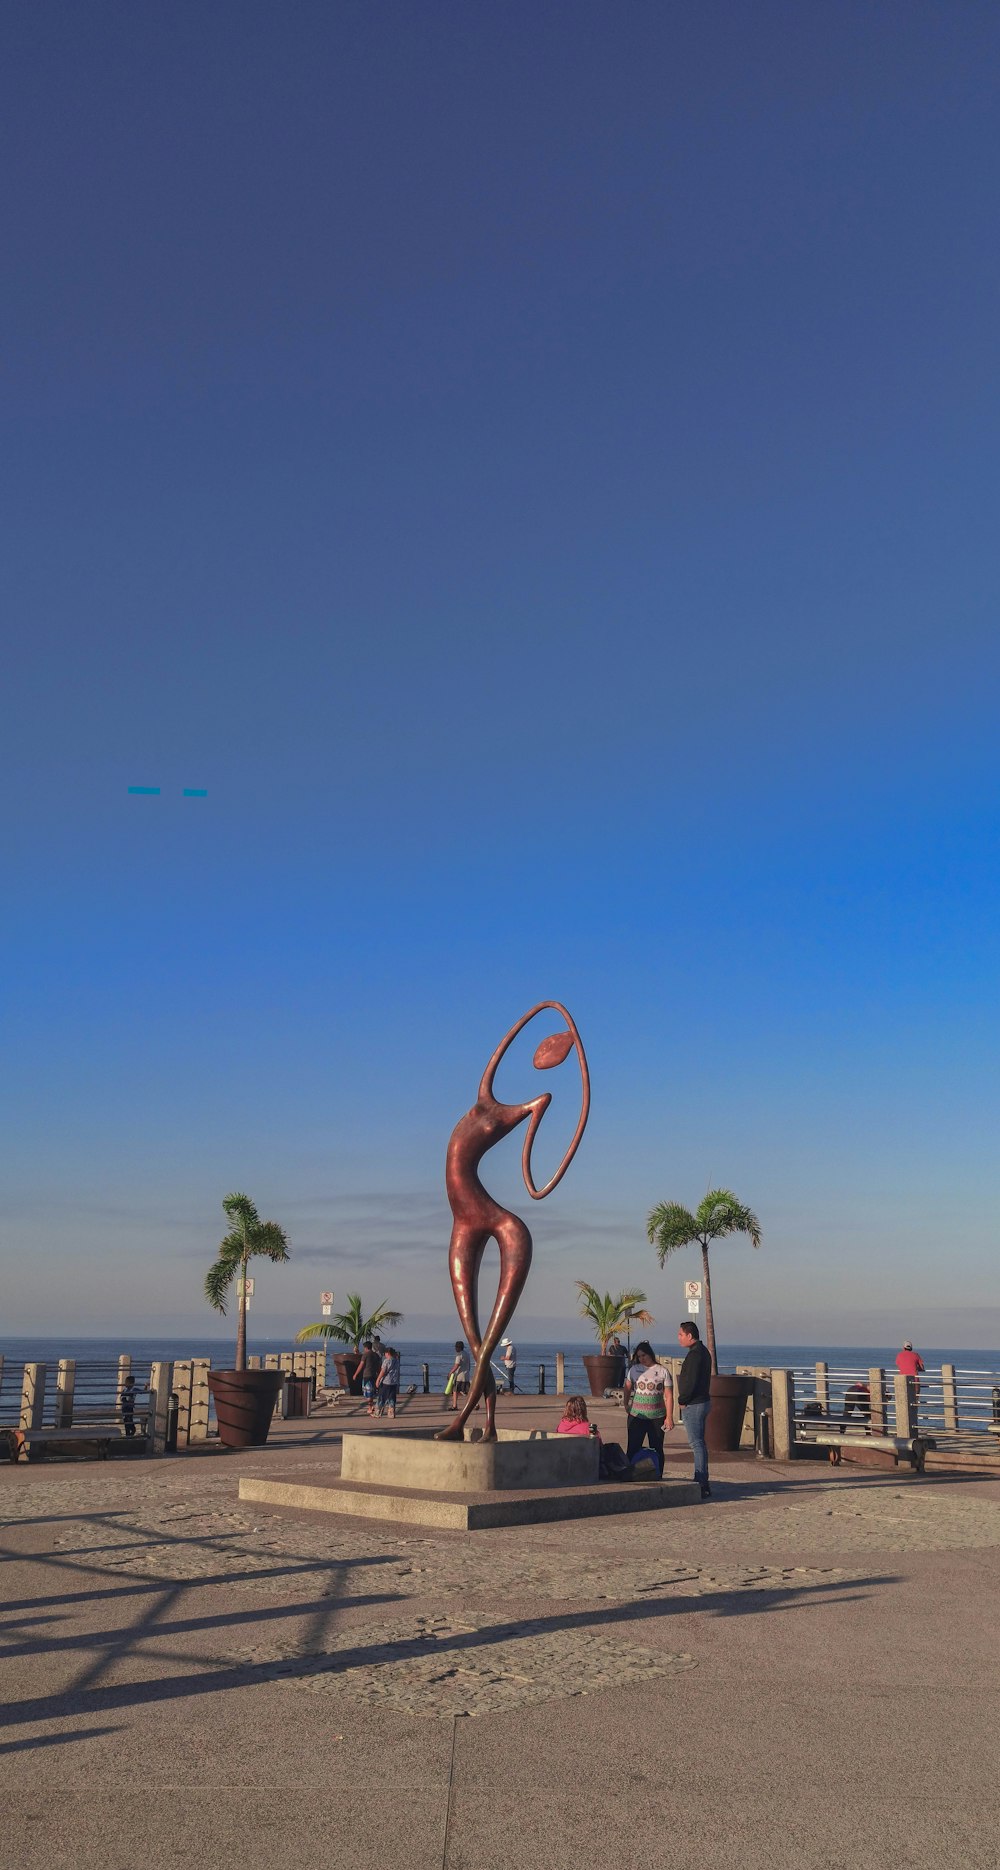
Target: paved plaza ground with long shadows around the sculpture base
[799, 1673]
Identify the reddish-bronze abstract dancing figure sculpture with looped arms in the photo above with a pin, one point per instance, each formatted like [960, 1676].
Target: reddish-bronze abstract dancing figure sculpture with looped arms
[479, 1218]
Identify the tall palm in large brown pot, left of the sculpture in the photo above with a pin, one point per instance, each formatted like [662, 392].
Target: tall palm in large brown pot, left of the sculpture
[244, 1400]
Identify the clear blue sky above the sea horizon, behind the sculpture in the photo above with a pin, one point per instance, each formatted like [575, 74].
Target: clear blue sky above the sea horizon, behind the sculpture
[537, 468]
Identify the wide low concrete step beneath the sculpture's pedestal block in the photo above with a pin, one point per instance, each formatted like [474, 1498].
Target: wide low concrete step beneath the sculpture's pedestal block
[472, 1512]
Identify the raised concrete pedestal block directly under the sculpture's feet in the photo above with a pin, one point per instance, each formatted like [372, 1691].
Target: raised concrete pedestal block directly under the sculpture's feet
[515, 1461]
